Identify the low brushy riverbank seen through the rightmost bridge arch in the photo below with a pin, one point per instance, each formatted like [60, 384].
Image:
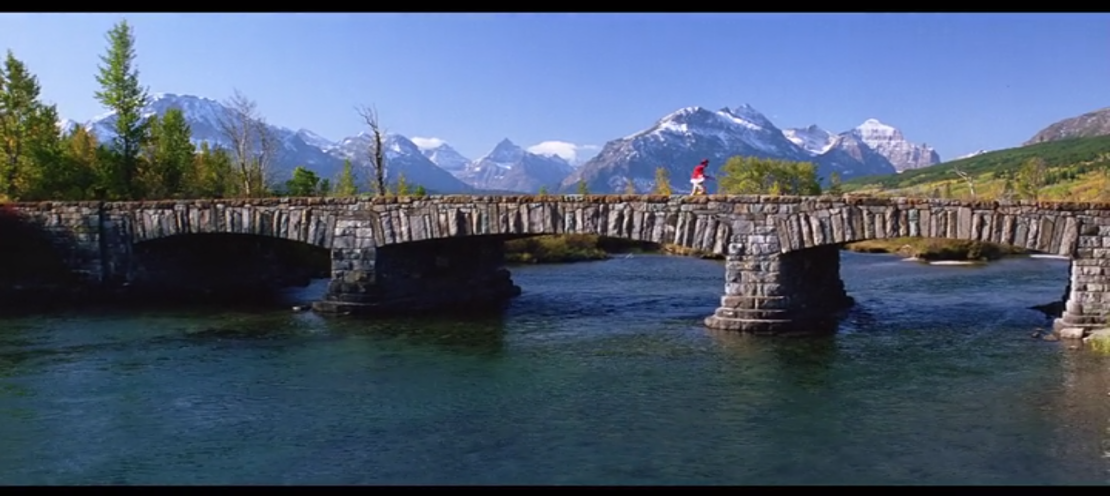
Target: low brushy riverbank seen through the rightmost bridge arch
[937, 250]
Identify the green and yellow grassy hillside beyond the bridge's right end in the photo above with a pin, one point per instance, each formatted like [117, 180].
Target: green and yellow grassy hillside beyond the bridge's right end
[1077, 169]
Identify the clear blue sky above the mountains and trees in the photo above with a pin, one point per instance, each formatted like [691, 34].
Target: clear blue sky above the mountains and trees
[958, 83]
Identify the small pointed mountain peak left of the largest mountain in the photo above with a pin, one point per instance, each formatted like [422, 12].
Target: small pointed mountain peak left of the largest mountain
[511, 168]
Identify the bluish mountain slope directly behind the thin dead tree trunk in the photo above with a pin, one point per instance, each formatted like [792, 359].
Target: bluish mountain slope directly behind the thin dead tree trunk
[402, 157]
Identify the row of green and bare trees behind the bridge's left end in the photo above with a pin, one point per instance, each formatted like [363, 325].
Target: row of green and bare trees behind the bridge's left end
[153, 158]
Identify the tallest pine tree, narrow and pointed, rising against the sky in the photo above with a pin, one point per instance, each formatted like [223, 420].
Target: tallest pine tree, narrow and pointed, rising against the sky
[122, 94]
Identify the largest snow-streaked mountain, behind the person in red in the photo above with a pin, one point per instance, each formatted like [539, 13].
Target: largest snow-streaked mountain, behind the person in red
[683, 138]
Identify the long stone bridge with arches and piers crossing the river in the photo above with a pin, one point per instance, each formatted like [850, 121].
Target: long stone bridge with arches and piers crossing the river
[782, 269]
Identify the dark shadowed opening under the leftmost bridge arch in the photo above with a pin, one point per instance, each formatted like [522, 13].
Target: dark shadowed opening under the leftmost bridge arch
[223, 268]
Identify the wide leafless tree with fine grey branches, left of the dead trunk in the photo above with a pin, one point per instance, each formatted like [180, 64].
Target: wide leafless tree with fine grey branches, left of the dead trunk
[253, 145]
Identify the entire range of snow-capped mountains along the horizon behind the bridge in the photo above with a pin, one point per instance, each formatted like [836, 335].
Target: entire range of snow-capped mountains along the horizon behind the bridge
[675, 143]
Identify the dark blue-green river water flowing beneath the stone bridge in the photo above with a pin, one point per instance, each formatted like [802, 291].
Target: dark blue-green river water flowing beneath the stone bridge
[600, 373]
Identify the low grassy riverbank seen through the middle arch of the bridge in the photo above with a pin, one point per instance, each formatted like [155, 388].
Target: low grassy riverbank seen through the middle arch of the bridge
[584, 248]
